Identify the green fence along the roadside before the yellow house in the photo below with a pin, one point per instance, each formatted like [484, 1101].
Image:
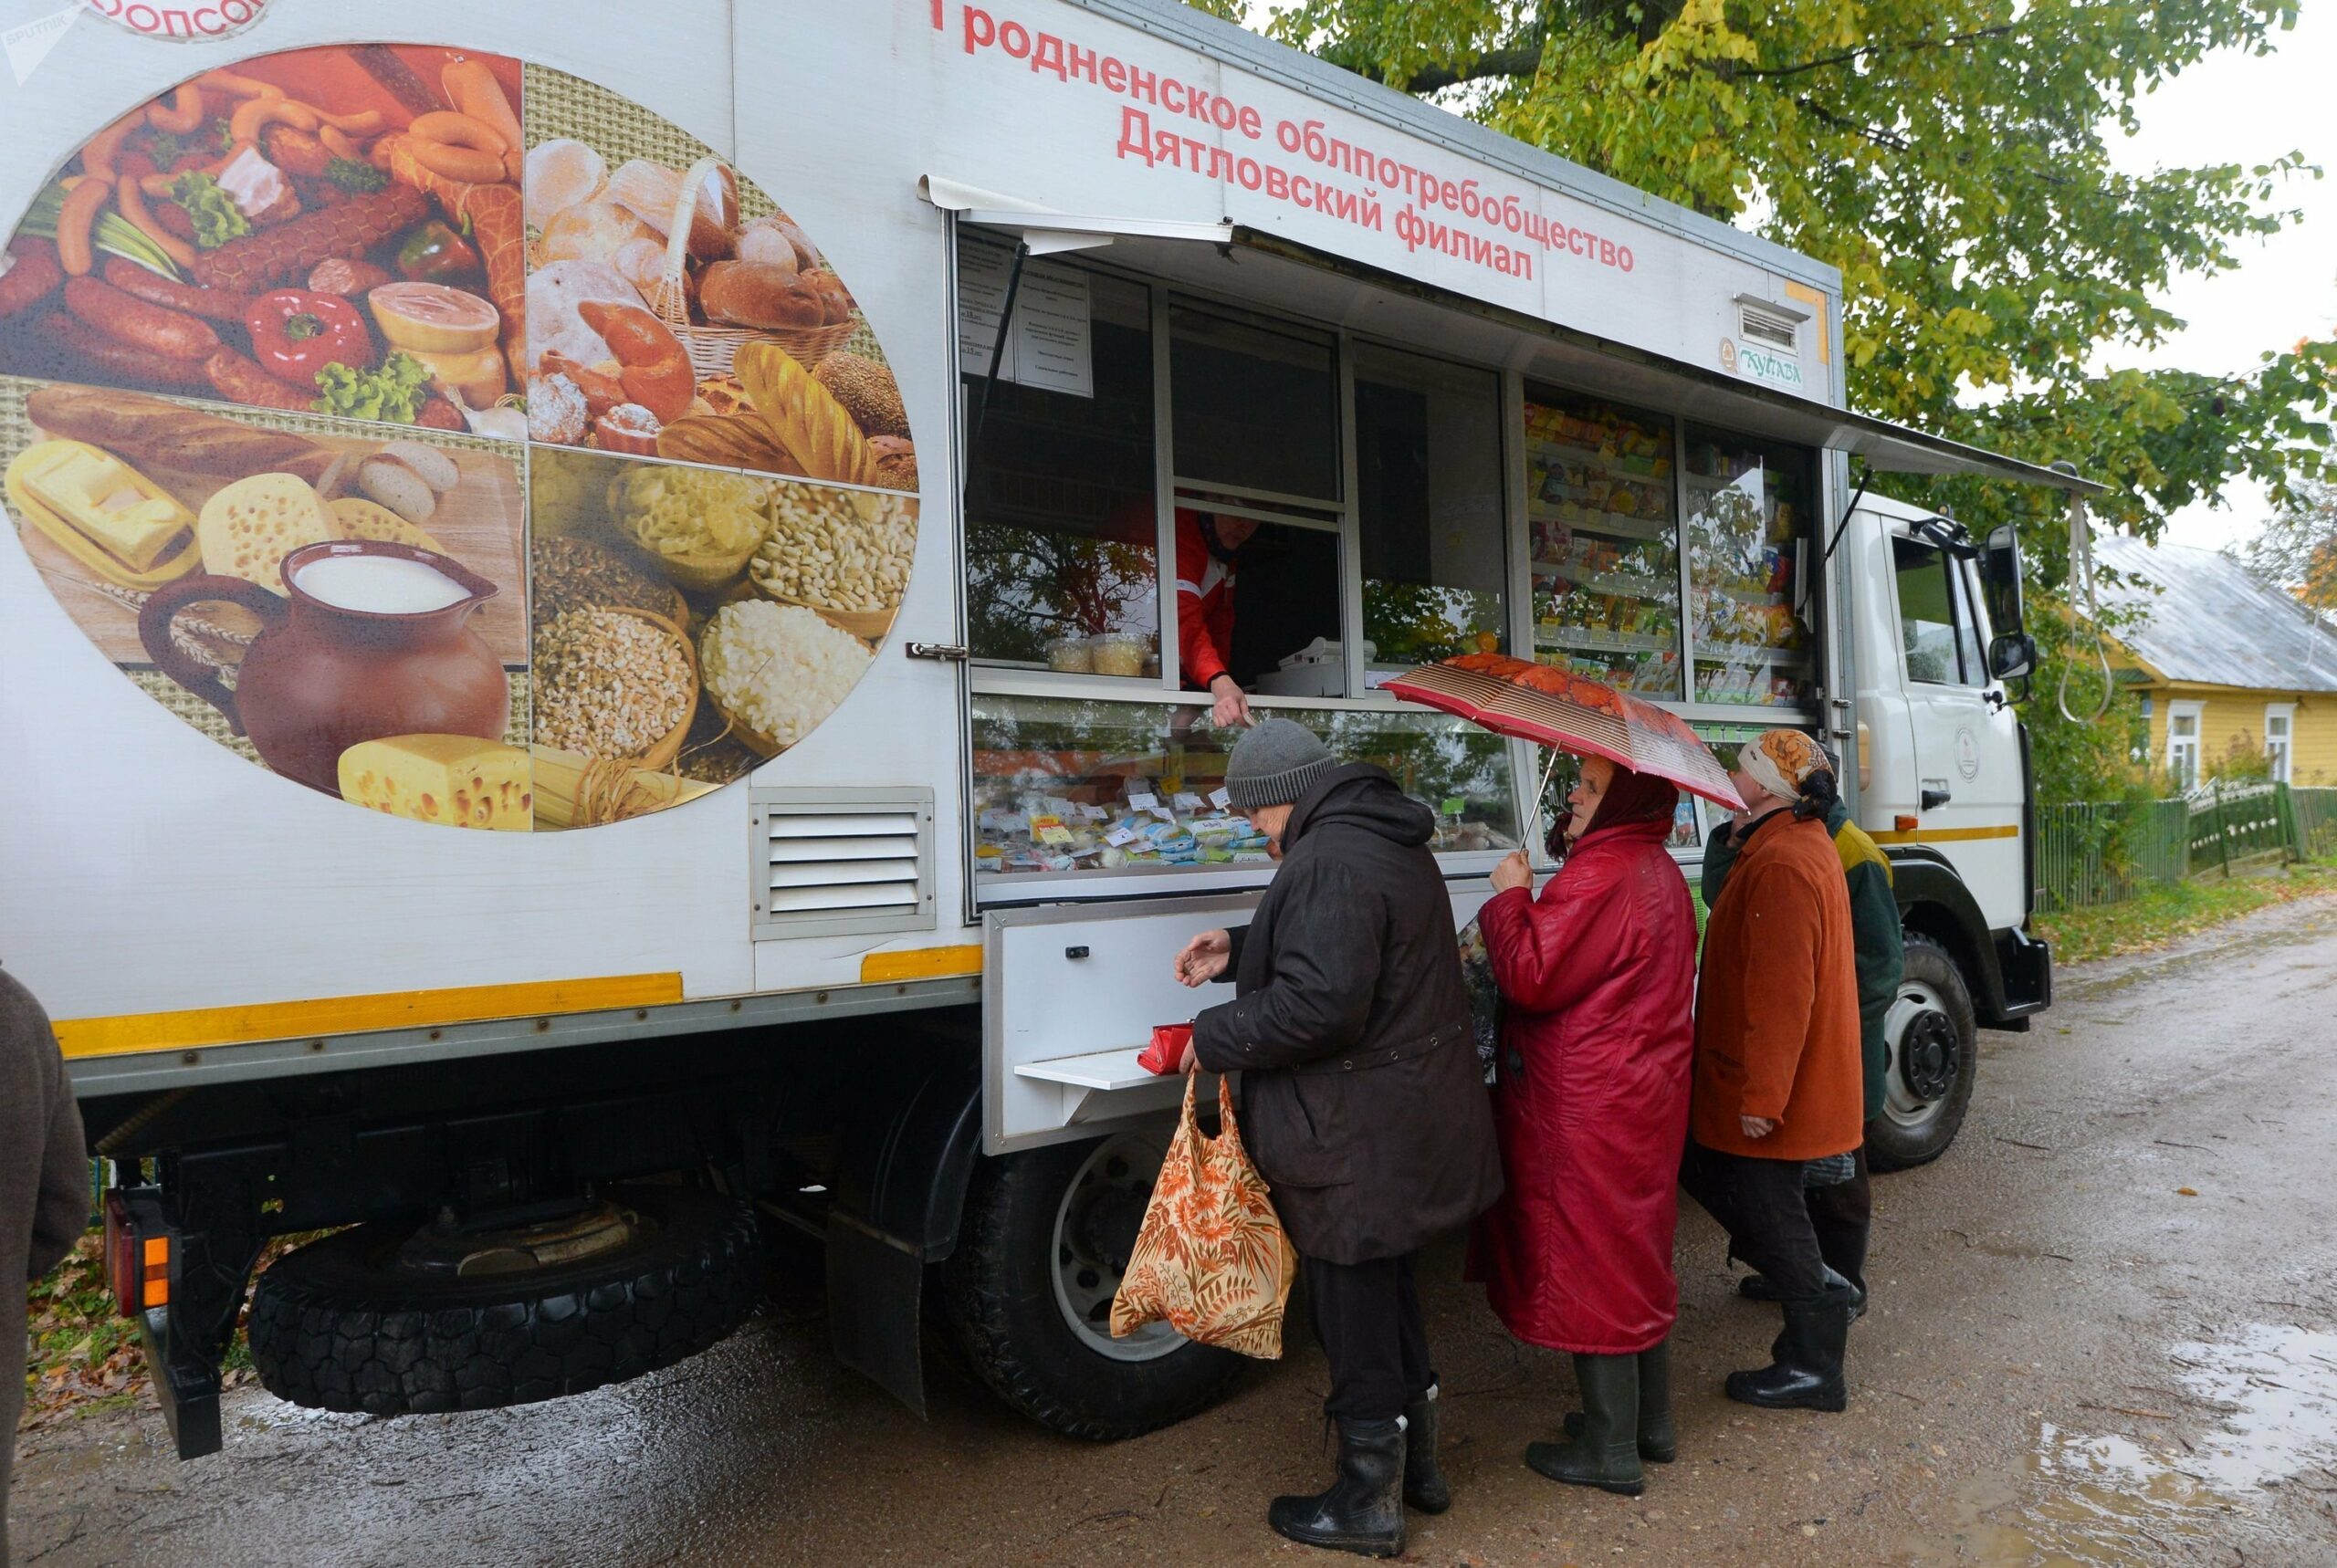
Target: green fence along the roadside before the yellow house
[2107, 852]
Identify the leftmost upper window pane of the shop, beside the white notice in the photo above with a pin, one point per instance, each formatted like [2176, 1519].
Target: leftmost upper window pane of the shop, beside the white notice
[1062, 539]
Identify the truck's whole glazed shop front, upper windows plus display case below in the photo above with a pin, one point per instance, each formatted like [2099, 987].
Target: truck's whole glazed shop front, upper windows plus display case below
[1219, 511]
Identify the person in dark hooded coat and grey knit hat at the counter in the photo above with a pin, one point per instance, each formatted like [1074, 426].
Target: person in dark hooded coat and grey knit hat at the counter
[1361, 1102]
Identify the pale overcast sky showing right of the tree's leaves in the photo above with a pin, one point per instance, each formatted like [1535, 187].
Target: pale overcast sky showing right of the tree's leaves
[2249, 111]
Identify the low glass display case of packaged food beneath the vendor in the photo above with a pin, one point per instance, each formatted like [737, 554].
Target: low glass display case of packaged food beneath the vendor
[1069, 786]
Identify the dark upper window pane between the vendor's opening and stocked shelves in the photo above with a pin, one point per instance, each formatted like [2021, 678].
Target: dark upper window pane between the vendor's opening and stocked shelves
[1429, 508]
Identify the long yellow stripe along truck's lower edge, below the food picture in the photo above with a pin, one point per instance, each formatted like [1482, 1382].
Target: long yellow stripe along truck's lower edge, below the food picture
[347, 1015]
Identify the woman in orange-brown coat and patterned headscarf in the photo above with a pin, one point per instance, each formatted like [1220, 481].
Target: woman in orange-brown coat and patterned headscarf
[1780, 1081]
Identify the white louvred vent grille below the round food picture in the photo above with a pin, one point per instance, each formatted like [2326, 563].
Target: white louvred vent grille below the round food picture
[842, 861]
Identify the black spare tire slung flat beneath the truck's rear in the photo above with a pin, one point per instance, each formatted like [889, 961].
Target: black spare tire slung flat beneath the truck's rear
[340, 1326]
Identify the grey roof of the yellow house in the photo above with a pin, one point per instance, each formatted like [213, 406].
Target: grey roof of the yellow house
[2212, 623]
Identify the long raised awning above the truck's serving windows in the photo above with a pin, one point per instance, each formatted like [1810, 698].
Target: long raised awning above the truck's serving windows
[1272, 272]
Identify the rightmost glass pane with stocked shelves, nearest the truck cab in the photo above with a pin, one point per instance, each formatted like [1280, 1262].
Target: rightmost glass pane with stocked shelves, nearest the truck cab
[1747, 527]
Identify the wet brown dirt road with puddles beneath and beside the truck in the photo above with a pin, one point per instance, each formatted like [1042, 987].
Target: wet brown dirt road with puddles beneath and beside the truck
[2069, 1361]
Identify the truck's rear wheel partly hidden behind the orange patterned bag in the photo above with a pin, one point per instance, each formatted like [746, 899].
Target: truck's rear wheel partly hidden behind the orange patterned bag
[1029, 1293]
